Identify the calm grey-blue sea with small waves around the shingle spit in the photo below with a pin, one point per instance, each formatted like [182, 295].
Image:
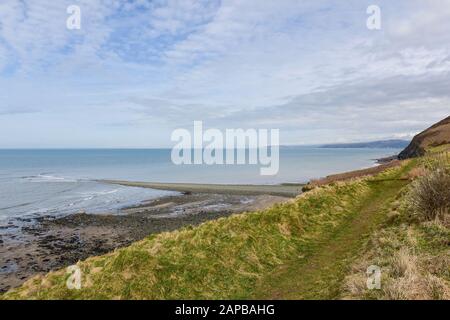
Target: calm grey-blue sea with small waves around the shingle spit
[58, 182]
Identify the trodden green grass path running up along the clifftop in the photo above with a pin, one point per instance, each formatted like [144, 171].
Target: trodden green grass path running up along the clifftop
[319, 274]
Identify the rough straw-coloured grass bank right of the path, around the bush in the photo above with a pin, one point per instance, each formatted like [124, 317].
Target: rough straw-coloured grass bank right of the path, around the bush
[413, 252]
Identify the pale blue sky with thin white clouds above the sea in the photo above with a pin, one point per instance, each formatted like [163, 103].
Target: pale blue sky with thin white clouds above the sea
[138, 69]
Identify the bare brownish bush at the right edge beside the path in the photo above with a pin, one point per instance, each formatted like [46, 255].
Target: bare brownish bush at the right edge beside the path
[429, 197]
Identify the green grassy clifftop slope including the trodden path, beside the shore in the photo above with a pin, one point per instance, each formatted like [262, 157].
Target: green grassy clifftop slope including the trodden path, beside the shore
[298, 249]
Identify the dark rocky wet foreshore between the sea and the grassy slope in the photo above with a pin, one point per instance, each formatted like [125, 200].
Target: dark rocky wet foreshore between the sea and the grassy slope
[32, 246]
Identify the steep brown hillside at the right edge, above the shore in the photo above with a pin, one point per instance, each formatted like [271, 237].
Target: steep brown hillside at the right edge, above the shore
[434, 136]
